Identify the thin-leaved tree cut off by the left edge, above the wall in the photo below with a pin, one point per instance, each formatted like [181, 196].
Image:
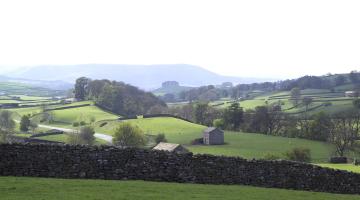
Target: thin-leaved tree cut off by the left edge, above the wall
[7, 124]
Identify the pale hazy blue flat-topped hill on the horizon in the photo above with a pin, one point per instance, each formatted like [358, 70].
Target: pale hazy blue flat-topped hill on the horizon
[144, 76]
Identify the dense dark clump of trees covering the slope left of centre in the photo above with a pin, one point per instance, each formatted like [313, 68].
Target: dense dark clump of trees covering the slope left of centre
[118, 97]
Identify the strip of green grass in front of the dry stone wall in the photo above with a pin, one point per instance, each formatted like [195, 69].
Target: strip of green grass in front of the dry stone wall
[14, 188]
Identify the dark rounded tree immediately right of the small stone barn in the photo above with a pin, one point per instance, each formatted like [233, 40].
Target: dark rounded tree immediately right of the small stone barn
[233, 116]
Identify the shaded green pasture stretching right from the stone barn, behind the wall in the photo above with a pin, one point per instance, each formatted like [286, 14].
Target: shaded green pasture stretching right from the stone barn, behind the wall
[251, 145]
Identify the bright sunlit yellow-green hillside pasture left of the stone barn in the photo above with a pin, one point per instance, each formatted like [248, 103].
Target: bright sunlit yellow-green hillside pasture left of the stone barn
[176, 130]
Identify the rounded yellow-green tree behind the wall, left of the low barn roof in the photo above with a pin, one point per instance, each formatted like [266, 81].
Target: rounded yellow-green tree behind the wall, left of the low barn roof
[127, 135]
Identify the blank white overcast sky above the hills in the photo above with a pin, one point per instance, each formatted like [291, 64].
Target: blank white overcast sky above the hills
[254, 38]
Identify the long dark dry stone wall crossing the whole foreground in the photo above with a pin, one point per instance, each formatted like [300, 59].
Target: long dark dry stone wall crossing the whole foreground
[106, 162]
